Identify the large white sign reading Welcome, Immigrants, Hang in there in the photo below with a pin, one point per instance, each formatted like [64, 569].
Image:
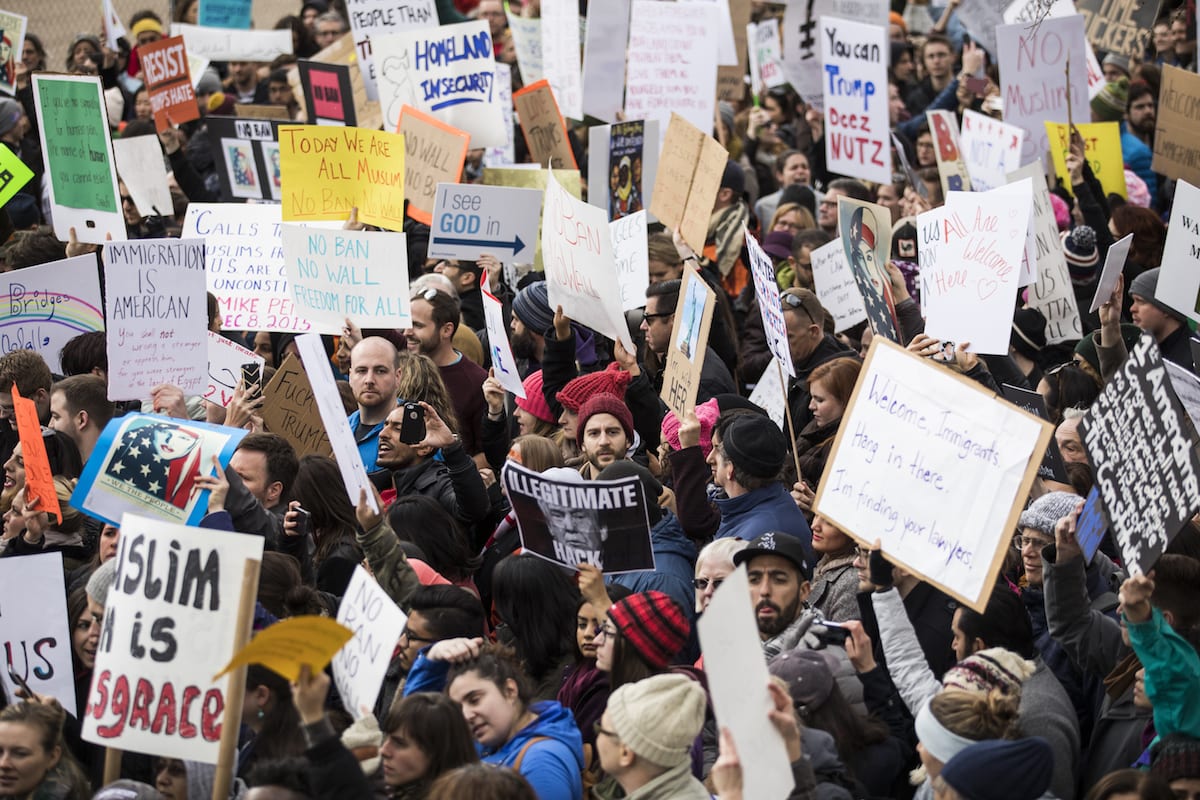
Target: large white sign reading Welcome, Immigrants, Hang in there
[915, 446]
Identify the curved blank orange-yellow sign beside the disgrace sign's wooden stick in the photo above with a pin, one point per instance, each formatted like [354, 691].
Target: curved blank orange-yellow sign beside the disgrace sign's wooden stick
[287, 646]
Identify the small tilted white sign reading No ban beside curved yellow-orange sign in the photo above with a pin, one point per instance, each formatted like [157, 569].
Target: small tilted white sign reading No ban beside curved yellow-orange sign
[376, 623]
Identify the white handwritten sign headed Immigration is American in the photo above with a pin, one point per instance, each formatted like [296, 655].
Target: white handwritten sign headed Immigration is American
[158, 317]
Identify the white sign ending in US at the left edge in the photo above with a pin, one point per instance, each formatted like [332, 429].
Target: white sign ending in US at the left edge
[35, 633]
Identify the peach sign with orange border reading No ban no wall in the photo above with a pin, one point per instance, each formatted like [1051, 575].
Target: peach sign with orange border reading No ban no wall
[434, 154]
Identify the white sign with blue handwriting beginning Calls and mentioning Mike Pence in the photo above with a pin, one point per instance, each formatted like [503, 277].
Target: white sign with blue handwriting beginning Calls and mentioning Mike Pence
[244, 260]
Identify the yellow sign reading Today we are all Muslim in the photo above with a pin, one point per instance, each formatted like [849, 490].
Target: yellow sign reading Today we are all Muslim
[328, 171]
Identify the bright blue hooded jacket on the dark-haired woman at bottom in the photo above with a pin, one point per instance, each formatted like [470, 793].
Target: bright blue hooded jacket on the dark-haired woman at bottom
[554, 766]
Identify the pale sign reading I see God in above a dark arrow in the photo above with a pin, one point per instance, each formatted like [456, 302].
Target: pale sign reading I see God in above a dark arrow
[471, 221]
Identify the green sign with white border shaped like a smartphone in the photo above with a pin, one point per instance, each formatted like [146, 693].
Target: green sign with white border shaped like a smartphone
[77, 152]
